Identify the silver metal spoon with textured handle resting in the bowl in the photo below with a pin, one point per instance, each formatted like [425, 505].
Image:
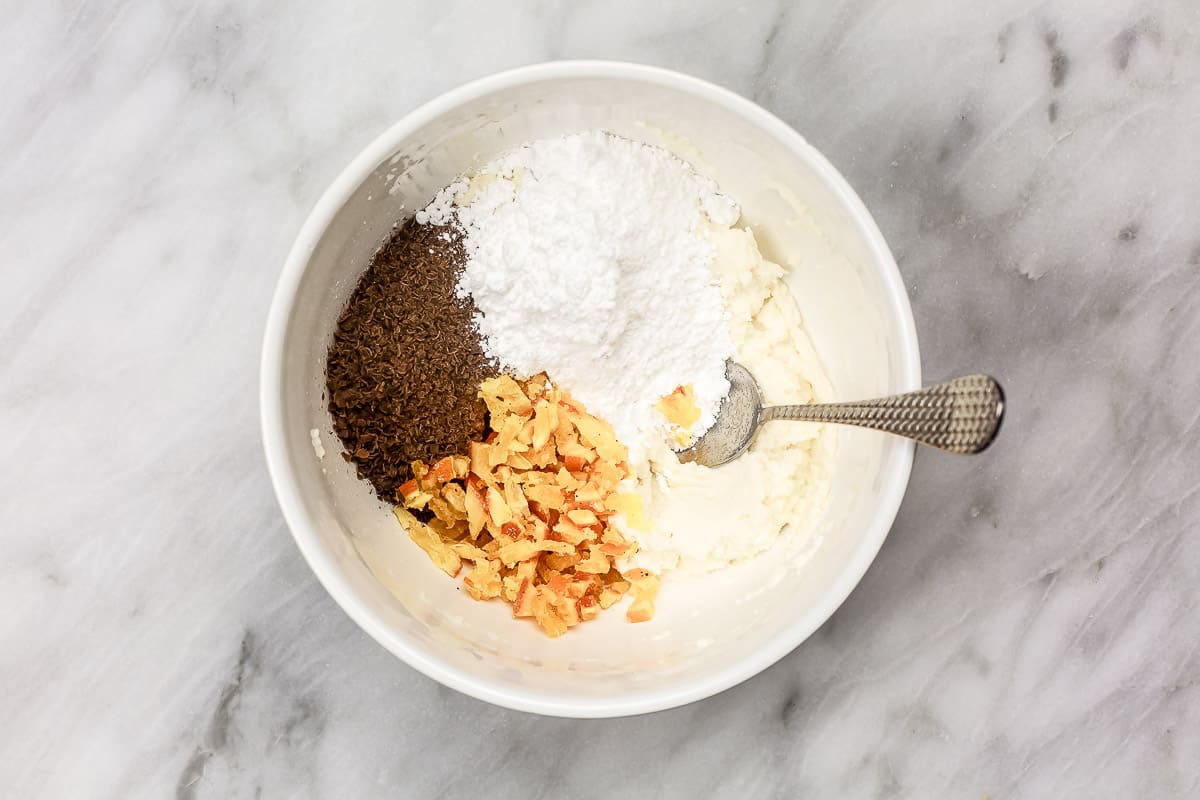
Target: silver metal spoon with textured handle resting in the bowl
[959, 417]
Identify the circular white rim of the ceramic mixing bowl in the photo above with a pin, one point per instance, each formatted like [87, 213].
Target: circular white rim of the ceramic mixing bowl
[322, 562]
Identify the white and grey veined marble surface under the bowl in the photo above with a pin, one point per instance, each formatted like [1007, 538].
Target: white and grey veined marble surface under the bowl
[1031, 628]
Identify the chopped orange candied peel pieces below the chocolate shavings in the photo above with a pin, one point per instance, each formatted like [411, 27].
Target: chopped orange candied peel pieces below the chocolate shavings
[531, 510]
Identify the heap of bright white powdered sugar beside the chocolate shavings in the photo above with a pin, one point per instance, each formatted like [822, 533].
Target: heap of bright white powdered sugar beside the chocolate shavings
[587, 260]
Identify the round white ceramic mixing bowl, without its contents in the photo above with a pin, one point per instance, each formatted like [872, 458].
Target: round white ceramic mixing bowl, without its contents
[712, 633]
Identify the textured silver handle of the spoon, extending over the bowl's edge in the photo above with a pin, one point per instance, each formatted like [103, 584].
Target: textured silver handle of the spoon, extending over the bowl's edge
[961, 417]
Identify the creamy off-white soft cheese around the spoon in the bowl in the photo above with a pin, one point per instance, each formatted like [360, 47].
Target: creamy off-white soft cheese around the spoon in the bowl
[705, 519]
